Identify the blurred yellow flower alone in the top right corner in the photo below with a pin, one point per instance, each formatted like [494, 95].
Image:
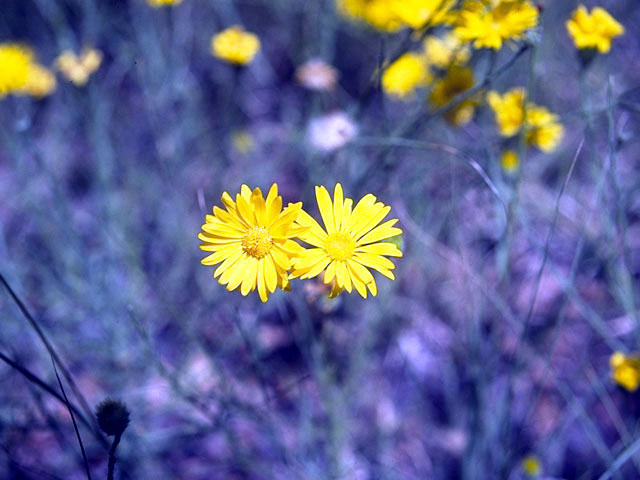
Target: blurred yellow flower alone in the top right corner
[593, 30]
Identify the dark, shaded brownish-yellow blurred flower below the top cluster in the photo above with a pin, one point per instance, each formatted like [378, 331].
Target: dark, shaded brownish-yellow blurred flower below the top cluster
[458, 80]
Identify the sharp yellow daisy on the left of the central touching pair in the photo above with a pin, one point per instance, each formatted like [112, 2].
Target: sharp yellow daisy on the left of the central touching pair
[252, 239]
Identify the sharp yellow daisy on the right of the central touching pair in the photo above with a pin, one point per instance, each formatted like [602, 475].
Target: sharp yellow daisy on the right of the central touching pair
[350, 243]
